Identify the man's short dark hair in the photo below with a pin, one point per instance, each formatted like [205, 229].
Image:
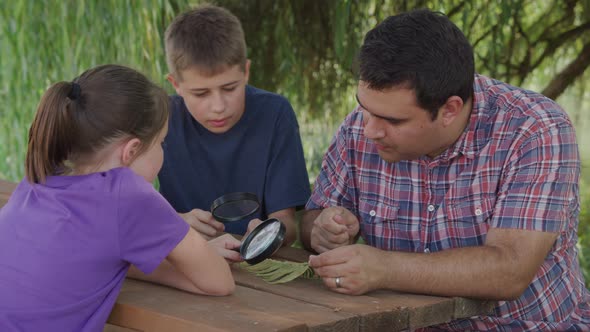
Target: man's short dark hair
[420, 50]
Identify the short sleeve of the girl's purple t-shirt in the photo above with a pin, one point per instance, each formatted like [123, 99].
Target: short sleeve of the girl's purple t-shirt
[149, 229]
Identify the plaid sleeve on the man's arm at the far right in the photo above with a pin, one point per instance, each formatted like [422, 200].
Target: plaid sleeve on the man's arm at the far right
[539, 190]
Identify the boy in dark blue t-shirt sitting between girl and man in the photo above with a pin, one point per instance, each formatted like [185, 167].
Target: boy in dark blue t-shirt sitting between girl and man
[225, 136]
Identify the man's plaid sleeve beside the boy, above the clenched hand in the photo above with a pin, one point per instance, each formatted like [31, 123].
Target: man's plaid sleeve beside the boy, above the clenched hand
[332, 186]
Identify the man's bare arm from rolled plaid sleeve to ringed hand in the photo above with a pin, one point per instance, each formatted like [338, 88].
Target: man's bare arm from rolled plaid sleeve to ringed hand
[501, 269]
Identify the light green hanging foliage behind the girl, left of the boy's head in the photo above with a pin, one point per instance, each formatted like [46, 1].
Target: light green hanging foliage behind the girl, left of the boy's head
[45, 42]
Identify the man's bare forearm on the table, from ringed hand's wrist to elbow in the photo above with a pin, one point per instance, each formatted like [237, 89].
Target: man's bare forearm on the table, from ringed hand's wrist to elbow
[479, 272]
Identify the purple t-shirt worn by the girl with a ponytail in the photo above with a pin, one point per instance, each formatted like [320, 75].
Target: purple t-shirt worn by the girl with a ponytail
[66, 246]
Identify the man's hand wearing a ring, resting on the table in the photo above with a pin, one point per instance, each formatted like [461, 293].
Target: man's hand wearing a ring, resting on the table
[358, 266]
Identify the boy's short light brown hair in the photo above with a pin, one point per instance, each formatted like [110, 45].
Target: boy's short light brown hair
[208, 37]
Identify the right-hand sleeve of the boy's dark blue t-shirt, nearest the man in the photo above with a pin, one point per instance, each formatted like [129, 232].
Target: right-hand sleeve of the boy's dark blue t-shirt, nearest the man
[287, 182]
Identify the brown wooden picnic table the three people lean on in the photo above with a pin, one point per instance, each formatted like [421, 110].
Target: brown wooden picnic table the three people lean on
[299, 305]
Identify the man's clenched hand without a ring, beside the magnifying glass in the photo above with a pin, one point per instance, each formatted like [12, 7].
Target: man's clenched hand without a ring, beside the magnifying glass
[334, 227]
